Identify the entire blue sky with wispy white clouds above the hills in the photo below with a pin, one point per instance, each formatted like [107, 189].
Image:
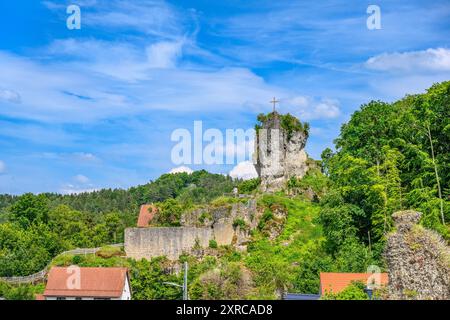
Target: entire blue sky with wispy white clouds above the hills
[93, 108]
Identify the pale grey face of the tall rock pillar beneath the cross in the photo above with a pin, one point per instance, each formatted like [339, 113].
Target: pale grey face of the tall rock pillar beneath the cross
[279, 155]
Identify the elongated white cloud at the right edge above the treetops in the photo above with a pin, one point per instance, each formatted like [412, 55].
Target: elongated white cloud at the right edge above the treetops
[413, 61]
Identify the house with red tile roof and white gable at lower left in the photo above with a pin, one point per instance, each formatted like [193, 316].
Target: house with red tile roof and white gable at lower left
[77, 283]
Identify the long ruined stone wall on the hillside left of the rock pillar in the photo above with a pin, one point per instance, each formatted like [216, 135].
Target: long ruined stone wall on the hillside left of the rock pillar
[173, 241]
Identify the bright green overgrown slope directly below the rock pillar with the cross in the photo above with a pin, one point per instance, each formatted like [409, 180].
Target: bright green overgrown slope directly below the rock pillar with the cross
[293, 260]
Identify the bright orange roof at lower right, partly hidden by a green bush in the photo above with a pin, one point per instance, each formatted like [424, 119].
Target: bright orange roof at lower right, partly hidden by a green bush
[336, 282]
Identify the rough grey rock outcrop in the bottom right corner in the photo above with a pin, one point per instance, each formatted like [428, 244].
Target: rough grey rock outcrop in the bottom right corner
[418, 260]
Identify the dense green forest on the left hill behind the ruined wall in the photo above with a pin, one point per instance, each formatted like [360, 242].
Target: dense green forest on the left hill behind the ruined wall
[35, 228]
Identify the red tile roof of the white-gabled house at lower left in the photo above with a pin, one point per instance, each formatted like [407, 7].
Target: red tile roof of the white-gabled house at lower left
[94, 282]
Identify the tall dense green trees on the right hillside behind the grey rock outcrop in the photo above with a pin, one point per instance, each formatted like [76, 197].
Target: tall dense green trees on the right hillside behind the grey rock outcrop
[389, 157]
